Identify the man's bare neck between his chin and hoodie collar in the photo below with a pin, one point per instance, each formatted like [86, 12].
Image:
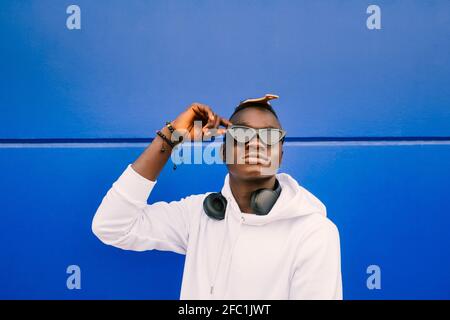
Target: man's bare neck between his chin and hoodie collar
[242, 190]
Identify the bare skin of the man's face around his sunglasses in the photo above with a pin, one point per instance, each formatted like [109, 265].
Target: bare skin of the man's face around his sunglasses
[254, 159]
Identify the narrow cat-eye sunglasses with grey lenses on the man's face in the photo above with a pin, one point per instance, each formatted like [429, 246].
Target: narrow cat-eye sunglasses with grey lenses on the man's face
[268, 136]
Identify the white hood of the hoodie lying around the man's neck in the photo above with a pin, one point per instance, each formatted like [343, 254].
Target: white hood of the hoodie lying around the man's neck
[294, 201]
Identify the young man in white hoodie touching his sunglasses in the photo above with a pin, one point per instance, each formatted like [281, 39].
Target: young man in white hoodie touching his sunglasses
[262, 237]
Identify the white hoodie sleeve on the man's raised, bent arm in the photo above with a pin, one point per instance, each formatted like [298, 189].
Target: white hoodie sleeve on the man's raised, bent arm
[125, 220]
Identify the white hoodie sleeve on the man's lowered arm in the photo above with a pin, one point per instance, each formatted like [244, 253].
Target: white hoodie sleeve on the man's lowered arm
[317, 267]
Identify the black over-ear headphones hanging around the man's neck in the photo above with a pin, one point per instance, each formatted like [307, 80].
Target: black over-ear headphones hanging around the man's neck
[261, 202]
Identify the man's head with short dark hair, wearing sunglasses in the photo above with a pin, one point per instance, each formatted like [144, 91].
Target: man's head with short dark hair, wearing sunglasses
[258, 154]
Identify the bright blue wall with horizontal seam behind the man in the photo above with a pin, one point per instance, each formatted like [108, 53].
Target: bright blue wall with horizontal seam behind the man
[381, 96]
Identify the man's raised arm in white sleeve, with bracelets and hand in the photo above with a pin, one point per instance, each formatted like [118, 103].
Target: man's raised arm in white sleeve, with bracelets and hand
[125, 220]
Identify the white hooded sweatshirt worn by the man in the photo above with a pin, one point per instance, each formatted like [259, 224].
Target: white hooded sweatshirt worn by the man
[291, 253]
